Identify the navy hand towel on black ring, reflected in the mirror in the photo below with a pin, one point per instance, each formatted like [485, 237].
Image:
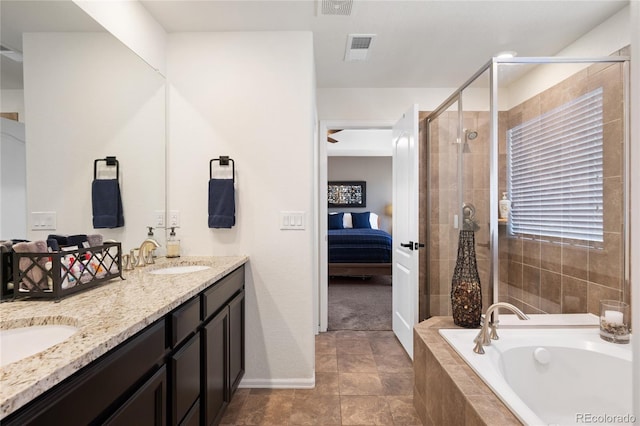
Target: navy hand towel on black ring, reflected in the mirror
[107, 204]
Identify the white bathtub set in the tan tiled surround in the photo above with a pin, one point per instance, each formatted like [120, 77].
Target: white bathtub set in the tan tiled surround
[553, 376]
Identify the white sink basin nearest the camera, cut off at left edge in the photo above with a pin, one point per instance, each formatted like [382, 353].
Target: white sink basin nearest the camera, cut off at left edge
[22, 342]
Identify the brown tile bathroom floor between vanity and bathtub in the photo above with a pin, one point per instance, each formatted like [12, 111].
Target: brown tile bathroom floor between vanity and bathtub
[362, 378]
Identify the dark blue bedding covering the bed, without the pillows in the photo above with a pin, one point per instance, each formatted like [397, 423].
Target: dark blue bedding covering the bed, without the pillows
[359, 245]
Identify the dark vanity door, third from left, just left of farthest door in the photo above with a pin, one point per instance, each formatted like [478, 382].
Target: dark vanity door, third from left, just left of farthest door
[215, 353]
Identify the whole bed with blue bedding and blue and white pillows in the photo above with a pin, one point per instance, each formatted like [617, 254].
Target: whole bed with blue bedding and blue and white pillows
[356, 246]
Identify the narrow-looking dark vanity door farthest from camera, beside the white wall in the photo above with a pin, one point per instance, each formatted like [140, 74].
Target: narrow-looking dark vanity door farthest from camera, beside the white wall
[236, 342]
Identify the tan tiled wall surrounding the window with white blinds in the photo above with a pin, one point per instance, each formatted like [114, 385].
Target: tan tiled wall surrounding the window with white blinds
[565, 276]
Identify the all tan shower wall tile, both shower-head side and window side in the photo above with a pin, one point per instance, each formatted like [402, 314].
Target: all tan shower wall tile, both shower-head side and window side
[537, 275]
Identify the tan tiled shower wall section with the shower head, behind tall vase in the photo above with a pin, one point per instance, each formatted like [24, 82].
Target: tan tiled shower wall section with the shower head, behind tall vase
[444, 204]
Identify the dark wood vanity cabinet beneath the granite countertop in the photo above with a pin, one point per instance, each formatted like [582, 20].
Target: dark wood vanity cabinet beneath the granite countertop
[181, 370]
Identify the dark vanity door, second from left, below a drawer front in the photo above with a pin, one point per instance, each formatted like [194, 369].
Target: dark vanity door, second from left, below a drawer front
[185, 379]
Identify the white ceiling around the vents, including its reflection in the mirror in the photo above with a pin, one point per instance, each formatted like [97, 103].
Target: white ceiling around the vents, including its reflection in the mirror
[419, 43]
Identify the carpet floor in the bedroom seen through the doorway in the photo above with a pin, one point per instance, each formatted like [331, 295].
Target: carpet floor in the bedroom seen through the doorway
[360, 304]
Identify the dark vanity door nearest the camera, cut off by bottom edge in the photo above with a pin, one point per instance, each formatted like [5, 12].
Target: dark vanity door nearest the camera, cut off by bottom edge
[147, 406]
